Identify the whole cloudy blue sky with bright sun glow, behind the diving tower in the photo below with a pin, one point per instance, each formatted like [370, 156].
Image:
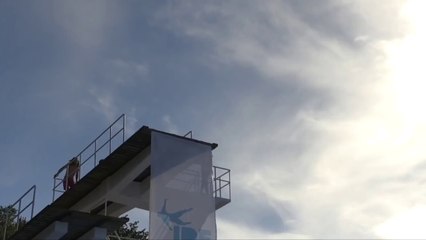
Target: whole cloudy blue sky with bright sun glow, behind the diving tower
[317, 106]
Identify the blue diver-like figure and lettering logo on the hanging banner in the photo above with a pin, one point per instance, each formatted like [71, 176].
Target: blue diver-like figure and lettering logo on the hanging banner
[175, 224]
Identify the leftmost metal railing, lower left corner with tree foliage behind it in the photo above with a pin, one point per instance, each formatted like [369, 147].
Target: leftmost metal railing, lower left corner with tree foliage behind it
[18, 206]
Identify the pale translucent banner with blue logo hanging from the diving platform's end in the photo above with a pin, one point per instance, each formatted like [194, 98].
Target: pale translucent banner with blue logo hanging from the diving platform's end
[182, 205]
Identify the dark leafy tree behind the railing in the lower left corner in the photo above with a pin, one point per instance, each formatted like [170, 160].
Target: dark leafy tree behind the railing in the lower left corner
[9, 223]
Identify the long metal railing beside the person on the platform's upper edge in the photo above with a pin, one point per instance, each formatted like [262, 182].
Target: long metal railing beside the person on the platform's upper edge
[99, 148]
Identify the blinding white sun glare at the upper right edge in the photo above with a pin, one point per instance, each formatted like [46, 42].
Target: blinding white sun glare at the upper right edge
[407, 60]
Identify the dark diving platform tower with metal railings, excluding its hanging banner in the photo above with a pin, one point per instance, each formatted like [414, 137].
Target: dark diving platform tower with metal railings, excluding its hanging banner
[108, 187]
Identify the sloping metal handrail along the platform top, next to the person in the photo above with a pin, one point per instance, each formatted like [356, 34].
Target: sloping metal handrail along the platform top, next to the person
[94, 144]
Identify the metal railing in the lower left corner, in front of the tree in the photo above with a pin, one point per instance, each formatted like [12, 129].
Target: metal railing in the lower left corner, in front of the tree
[13, 217]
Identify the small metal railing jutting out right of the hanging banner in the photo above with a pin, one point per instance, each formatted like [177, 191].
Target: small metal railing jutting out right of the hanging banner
[222, 182]
